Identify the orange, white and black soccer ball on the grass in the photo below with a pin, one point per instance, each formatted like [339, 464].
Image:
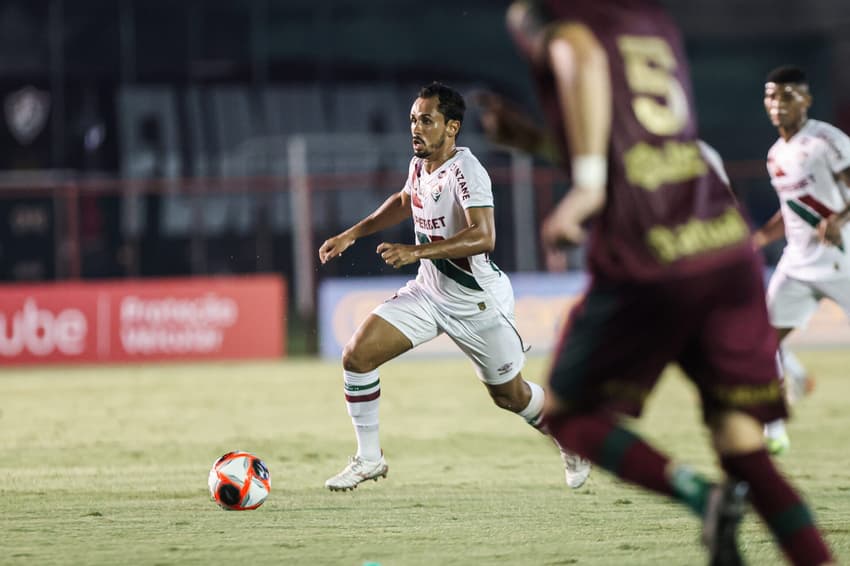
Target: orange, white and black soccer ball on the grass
[239, 481]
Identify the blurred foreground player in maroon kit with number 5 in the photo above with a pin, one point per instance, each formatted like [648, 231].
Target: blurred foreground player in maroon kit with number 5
[675, 277]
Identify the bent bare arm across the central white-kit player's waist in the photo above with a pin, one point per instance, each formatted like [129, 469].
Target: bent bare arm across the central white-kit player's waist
[478, 237]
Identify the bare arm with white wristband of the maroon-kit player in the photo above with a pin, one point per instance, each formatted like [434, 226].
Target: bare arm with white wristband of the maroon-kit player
[581, 71]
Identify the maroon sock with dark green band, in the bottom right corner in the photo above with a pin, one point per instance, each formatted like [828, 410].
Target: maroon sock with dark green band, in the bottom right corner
[781, 508]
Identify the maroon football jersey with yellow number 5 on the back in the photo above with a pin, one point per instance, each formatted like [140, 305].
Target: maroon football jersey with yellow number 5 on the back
[668, 213]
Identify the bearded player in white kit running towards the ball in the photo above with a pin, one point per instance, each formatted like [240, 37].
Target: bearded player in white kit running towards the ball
[458, 290]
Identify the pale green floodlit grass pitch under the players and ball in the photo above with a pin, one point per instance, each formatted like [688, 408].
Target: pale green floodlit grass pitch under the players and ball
[109, 466]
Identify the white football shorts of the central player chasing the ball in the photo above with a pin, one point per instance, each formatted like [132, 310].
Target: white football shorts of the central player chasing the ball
[489, 338]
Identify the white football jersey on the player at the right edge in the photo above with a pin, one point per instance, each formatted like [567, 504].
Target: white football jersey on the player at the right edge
[802, 170]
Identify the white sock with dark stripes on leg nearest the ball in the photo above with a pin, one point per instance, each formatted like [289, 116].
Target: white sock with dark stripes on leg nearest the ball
[362, 395]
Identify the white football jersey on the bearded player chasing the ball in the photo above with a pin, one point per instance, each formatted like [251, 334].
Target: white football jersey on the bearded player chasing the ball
[460, 286]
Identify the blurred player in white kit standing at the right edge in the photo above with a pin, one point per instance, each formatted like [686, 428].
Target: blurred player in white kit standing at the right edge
[809, 168]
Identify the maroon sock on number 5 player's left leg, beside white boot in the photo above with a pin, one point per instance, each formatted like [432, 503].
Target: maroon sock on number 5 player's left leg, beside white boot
[598, 438]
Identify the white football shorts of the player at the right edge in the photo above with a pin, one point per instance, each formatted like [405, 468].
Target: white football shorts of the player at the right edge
[791, 302]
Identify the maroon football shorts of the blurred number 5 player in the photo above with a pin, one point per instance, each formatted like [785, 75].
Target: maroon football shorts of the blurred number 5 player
[621, 336]
